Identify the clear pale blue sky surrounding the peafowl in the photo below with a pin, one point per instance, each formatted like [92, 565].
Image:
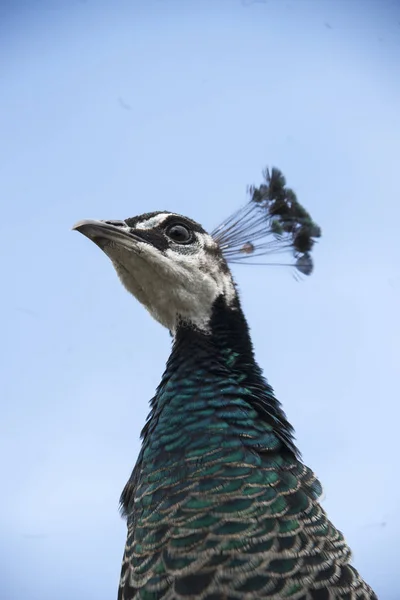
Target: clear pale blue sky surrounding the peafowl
[111, 109]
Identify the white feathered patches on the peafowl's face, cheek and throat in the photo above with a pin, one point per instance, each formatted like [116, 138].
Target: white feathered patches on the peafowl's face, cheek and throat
[175, 285]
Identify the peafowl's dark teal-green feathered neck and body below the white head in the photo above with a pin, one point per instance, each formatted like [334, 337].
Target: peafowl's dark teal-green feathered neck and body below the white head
[219, 505]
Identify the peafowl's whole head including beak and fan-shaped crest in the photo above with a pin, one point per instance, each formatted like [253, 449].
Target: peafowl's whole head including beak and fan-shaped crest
[177, 270]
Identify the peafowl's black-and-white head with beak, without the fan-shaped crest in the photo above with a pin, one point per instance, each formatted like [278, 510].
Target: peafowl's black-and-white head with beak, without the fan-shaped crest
[168, 262]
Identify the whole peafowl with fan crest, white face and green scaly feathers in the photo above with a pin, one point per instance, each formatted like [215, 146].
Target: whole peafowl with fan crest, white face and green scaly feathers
[220, 505]
